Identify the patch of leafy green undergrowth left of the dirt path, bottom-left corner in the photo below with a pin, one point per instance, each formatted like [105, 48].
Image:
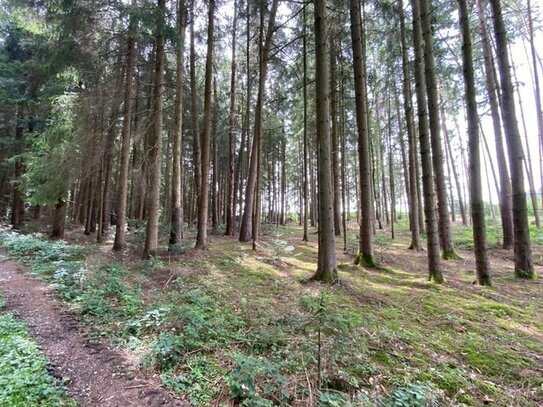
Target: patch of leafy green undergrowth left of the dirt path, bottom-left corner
[24, 380]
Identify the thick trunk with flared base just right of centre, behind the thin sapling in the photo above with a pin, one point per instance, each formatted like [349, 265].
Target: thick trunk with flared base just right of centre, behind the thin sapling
[327, 264]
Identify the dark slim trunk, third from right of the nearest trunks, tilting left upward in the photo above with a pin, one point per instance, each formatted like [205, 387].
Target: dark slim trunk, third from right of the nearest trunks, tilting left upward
[432, 237]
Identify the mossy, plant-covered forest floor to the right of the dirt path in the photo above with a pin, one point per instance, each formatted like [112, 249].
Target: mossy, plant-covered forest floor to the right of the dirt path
[230, 325]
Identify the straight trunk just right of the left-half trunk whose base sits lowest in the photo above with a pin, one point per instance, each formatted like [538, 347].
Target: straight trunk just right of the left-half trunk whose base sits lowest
[176, 220]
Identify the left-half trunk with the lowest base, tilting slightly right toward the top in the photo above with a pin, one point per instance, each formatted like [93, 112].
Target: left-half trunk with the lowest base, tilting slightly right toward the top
[155, 140]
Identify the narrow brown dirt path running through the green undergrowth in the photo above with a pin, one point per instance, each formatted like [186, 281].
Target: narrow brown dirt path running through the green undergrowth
[98, 376]
